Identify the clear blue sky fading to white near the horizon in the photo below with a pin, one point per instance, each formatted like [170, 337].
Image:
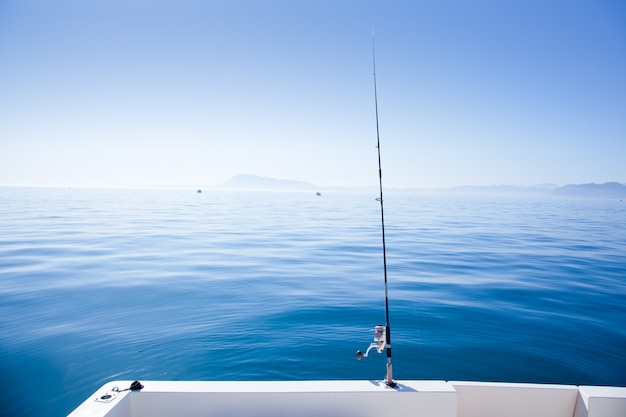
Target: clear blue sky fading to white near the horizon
[124, 92]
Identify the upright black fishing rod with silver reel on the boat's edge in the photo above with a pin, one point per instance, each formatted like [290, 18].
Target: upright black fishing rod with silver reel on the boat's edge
[382, 334]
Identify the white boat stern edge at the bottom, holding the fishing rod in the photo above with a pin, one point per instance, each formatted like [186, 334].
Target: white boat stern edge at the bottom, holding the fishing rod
[352, 398]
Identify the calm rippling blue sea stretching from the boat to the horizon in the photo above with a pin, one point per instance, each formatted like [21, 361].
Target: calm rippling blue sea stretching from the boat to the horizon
[170, 284]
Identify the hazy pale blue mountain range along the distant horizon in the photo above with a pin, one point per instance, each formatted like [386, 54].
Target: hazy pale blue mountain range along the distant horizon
[606, 190]
